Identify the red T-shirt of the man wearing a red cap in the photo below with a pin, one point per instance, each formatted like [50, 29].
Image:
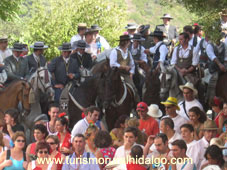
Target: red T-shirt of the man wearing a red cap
[149, 126]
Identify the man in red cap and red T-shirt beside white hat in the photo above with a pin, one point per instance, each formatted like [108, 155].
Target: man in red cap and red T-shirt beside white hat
[147, 124]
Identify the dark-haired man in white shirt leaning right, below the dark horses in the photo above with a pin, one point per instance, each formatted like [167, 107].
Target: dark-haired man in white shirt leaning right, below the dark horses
[91, 116]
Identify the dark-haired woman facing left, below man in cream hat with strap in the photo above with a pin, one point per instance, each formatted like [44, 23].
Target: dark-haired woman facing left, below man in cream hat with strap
[197, 118]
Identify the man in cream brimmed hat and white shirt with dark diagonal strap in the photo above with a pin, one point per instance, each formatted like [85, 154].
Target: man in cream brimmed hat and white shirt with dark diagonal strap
[189, 93]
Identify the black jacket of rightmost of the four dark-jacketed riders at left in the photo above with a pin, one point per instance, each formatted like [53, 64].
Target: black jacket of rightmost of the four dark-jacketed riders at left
[85, 60]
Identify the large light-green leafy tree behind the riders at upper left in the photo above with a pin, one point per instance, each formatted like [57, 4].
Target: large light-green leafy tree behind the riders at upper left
[55, 21]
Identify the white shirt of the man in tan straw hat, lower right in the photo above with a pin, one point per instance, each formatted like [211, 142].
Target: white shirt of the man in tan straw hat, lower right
[199, 147]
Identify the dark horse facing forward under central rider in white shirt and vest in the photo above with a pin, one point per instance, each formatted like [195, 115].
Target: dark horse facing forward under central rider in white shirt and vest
[117, 97]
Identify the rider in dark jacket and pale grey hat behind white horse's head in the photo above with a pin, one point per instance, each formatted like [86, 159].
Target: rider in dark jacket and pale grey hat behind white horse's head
[36, 59]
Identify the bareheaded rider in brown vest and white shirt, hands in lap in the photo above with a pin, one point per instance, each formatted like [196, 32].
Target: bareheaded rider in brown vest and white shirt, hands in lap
[184, 60]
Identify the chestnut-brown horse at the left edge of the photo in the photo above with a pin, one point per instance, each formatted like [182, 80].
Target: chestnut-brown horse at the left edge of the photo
[12, 94]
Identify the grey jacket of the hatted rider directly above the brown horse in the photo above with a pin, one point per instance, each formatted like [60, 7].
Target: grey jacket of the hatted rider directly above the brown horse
[16, 69]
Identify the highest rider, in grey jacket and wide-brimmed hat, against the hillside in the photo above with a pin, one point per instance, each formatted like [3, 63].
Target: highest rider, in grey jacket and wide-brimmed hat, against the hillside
[169, 30]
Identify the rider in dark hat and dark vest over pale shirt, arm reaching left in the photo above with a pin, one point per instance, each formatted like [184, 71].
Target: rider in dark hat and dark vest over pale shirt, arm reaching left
[160, 50]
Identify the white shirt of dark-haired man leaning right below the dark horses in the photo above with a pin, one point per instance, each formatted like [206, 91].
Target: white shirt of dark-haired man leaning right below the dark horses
[80, 127]
